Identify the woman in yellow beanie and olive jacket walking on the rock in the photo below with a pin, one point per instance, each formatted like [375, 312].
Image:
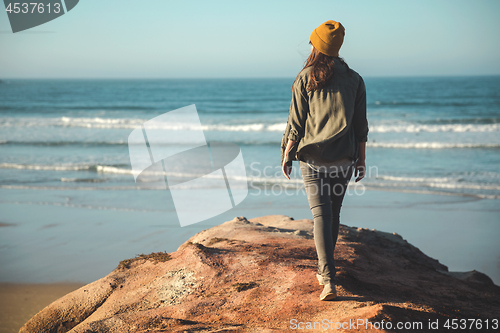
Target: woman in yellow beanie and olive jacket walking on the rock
[327, 133]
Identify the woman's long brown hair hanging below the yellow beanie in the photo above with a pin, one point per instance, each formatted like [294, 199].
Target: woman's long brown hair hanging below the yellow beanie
[322, 68]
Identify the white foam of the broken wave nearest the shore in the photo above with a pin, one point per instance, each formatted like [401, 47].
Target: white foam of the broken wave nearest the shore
[467, 185]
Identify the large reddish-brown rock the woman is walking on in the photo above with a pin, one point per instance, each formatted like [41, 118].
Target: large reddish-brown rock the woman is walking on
[259, 275]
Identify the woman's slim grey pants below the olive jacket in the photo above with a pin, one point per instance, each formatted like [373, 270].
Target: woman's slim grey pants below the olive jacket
[325, 192]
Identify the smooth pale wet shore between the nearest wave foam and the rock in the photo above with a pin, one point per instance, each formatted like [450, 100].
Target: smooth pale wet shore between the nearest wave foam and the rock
[47, 250]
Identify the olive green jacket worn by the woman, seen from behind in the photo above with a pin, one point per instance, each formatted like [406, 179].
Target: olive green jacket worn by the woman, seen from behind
[329, 123]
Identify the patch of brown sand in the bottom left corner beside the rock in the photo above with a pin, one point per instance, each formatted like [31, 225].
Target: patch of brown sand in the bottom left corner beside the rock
[20, 302]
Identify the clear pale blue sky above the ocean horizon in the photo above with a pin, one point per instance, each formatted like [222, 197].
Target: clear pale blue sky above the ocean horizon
[164, 39]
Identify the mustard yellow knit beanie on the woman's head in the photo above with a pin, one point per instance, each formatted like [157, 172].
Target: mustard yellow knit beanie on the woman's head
[328, 38]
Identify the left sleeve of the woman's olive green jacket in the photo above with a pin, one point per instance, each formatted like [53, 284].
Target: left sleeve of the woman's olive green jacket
[299, 108]
